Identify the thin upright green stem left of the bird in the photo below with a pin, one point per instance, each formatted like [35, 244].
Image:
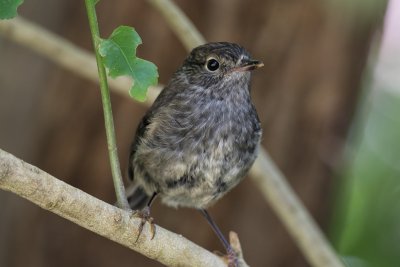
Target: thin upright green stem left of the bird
[108, 118]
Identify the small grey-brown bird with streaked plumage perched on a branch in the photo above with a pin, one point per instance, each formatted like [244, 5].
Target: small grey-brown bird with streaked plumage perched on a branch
[200, 137]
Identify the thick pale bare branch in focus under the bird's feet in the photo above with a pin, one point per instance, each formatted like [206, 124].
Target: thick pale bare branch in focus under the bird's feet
[99, 217]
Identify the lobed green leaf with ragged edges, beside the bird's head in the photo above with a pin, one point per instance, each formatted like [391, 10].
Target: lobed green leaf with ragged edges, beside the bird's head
[119, 56]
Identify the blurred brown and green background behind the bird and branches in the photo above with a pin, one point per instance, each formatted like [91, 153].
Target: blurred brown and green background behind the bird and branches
[328, 99]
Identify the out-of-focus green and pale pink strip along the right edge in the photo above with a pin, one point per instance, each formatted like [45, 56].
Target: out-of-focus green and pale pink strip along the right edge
[366, 228]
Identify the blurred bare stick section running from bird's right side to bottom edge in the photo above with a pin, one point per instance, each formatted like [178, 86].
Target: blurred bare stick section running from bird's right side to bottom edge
[292, 212]
